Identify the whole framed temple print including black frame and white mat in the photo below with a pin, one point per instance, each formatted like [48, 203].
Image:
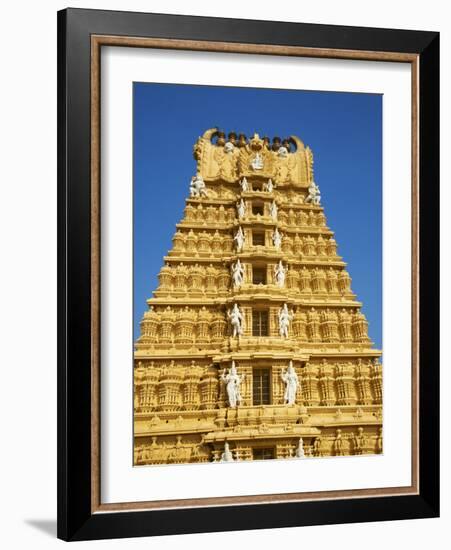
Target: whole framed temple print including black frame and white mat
[248, 274]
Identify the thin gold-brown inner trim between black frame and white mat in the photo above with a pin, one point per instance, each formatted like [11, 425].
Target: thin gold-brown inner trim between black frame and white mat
[97, 41]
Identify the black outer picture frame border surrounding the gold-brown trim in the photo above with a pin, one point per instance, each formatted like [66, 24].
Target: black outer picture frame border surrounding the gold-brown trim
[76, 518]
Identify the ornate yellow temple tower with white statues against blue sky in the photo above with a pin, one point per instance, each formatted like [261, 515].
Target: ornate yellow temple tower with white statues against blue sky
[254, 346]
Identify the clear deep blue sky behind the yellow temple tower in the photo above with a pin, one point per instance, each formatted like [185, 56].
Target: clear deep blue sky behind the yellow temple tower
[344, 130]
